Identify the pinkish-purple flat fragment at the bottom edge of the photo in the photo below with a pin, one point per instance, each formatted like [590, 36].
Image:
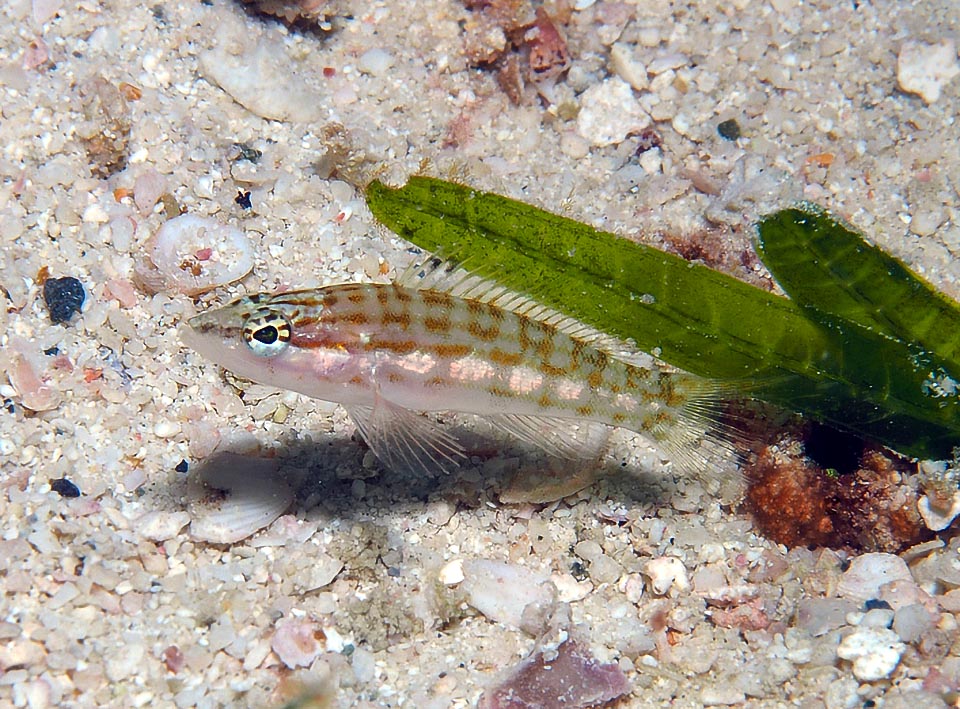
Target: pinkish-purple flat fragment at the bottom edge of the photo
[570, 679]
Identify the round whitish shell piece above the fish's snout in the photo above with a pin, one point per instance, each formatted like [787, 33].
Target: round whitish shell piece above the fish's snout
[191, 254]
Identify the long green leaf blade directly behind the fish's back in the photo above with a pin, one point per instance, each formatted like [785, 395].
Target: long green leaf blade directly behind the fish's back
[691, 316]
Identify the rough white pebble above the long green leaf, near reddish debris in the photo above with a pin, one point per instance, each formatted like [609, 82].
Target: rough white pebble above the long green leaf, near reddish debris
[609, 113]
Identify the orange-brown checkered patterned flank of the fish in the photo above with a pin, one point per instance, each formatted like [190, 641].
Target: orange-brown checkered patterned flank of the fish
[476, 353]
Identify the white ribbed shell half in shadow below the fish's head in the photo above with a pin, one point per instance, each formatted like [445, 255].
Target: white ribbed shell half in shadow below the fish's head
[234, 496]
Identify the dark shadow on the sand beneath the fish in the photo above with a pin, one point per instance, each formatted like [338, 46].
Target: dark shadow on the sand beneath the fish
[337, 476]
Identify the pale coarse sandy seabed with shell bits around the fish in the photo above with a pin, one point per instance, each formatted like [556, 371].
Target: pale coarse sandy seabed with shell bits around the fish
[115, 114]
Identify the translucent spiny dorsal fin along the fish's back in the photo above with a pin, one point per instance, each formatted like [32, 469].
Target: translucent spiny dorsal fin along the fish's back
[447, 275]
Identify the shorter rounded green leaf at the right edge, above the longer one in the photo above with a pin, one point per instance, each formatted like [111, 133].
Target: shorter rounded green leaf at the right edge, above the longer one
[825, 265]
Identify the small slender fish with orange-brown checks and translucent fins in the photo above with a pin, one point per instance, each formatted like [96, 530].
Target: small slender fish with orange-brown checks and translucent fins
[440, 339]
